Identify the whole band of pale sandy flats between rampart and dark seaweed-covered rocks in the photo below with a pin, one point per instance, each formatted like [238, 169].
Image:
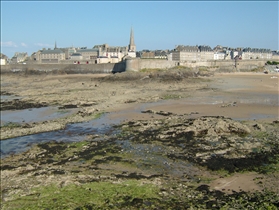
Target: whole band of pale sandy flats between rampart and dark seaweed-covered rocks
[240, 96]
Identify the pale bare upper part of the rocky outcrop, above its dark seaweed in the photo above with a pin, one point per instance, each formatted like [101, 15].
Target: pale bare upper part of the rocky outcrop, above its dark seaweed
[204, 126]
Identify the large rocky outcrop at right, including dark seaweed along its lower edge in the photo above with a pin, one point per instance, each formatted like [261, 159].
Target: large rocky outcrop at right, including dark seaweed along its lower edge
[215, 142]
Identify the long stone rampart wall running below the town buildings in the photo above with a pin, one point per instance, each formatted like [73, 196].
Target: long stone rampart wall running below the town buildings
[134, 65]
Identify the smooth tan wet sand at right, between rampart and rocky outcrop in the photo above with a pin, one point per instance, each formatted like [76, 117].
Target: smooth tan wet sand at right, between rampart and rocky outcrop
[240, 96]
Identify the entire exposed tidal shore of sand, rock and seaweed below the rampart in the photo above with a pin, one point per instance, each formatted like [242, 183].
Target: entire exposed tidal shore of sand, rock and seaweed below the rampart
[196, 140]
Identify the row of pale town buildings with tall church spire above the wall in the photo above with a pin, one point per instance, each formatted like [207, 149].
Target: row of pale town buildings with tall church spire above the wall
[109, 54]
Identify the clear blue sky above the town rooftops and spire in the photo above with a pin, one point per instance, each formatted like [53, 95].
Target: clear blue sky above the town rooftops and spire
[28, 26]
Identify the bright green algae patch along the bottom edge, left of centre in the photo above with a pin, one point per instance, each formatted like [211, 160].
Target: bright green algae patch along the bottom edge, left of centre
[95, 194]
